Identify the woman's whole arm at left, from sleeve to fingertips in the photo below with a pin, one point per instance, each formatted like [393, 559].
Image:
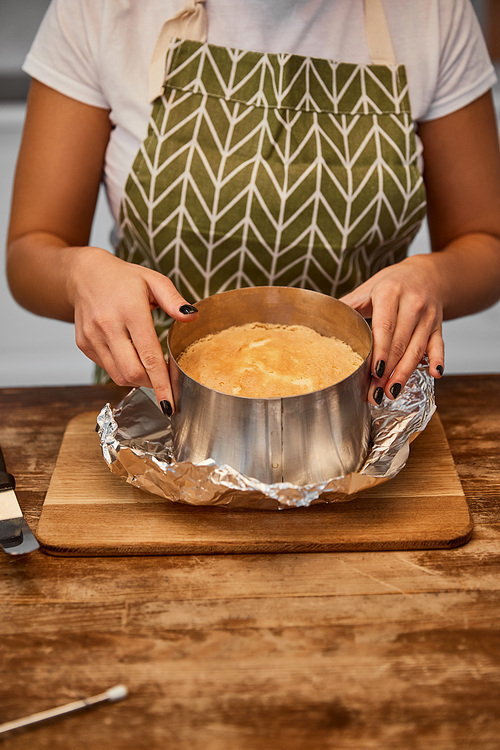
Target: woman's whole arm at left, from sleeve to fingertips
[51, 269]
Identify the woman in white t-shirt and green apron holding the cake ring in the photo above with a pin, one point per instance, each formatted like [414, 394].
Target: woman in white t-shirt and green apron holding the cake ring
[273, 166]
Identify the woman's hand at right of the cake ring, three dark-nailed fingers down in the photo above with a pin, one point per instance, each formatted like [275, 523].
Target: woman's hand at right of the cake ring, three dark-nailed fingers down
[405, 304]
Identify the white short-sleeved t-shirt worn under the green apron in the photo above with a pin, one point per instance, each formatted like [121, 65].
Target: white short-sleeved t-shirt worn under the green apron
[98, 52]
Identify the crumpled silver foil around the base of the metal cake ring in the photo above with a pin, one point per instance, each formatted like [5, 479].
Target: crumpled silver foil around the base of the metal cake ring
[136, 443]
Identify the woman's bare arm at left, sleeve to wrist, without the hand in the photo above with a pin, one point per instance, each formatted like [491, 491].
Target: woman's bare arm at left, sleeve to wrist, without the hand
[54, 197]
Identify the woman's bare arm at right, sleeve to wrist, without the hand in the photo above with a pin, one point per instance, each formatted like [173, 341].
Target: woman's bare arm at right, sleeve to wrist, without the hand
[462, 177]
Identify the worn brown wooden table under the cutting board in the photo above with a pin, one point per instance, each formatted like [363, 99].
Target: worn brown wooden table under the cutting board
[358, 650]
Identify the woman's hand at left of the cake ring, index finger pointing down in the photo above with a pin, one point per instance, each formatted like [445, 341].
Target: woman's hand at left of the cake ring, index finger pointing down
[113, 301]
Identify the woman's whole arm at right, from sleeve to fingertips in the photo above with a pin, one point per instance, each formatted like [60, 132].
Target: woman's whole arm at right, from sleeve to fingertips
[408, 301]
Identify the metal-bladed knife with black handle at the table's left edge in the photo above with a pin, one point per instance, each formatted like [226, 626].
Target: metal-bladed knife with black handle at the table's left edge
[16, 537]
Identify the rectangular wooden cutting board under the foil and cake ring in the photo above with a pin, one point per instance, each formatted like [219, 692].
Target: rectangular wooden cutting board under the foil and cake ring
[89, 511]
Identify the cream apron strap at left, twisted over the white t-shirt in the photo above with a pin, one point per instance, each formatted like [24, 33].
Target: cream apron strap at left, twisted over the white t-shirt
[189, 23]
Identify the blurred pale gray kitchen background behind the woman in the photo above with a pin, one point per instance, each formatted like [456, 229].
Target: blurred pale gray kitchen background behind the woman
[39, 351]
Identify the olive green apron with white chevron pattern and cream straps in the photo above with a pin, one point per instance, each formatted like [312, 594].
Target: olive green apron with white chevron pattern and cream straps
[273, 169]
